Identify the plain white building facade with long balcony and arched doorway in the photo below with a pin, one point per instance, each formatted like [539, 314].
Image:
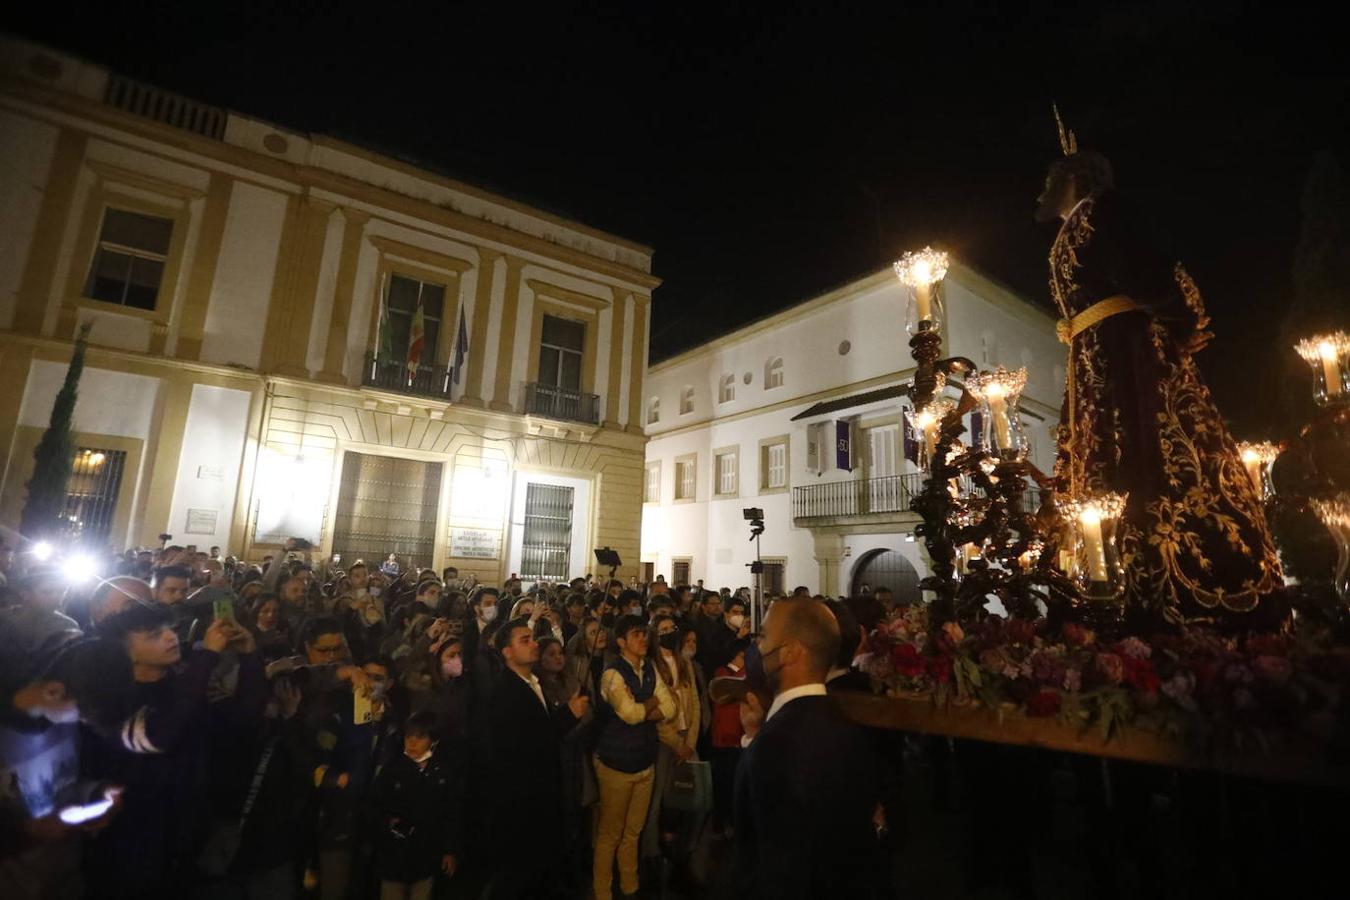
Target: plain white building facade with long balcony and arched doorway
[754, 420]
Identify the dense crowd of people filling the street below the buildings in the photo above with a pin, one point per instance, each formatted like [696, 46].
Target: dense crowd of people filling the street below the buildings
[179, 724]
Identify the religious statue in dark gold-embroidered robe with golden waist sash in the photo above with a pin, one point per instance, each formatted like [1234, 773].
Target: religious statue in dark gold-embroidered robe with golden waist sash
[1137, 418]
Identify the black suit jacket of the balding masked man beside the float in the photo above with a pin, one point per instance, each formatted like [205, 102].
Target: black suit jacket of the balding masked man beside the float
[805, 795]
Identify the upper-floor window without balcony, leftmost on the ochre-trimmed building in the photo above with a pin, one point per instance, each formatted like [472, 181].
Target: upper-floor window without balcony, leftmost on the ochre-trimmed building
[130, 260]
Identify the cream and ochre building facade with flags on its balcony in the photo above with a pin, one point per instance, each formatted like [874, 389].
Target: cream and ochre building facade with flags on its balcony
[294, 337]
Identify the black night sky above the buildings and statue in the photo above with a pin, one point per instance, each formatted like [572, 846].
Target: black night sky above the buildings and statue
[772, 154]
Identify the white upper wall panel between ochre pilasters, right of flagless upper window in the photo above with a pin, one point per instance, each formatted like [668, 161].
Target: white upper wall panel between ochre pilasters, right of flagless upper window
[245, 275]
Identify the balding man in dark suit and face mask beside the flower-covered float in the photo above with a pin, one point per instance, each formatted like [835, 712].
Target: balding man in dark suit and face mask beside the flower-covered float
[807, 790]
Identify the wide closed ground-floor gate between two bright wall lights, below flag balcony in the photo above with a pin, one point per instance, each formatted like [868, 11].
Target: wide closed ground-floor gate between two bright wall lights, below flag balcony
[387, 505]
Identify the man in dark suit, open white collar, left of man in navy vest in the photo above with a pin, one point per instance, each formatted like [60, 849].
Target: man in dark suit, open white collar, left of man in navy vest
[523, 756]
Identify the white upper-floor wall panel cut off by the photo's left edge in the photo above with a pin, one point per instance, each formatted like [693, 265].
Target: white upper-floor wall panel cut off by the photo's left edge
[26, 148]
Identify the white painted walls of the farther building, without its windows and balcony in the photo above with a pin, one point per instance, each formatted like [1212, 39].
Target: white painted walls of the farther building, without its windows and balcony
[870, 316]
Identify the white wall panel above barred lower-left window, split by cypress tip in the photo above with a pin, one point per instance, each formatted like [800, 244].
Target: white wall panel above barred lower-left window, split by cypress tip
[107, 404]
